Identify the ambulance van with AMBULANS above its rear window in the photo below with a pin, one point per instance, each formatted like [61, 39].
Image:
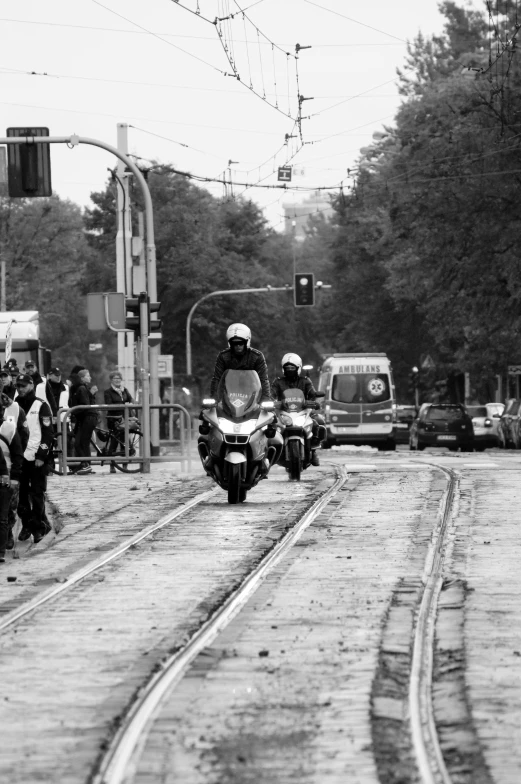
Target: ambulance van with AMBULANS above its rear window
[360, 400]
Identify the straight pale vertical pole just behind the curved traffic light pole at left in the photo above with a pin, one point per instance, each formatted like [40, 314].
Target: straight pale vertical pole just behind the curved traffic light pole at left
[124, 258]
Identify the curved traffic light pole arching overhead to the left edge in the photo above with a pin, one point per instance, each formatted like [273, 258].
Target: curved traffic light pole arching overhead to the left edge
[74, 141]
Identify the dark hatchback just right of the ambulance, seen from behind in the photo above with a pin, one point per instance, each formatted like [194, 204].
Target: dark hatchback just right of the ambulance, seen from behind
[439, 424]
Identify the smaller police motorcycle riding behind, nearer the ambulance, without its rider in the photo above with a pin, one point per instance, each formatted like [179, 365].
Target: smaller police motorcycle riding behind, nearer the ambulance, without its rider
[297, 431]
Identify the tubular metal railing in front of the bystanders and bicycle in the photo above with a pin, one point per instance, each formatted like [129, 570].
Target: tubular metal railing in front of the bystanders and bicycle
[185, 440]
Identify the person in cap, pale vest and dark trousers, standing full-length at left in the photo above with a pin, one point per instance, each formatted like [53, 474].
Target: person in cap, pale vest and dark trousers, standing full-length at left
[33, 484]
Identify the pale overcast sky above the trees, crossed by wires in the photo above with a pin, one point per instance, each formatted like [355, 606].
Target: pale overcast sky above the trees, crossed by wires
[103, 69]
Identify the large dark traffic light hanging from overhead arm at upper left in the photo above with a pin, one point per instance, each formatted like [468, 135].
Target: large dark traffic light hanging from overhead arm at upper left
[29, 165]
